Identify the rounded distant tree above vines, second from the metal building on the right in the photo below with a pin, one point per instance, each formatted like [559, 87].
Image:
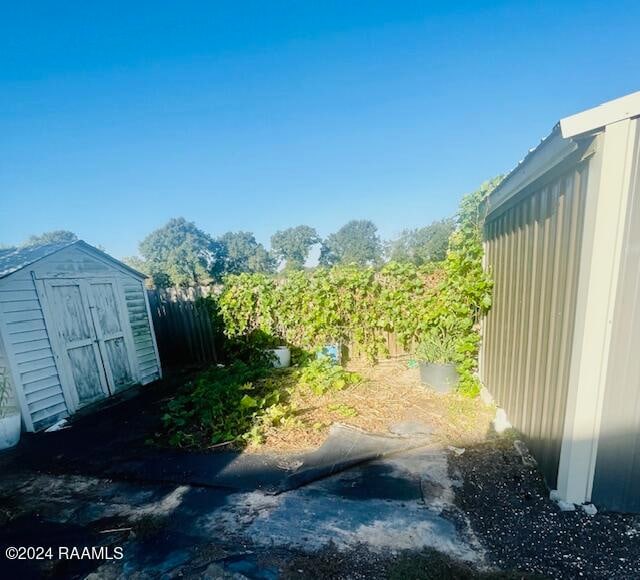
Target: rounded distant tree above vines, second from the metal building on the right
[357, 242]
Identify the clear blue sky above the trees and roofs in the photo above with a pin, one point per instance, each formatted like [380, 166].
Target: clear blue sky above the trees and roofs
[116, 116]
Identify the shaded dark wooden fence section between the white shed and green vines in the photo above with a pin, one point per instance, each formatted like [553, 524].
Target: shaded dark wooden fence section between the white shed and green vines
[184, 330]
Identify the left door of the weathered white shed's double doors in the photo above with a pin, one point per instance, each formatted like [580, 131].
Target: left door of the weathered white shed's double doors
[69, 305]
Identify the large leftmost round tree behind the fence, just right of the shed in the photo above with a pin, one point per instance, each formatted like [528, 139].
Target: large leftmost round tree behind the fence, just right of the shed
[182, 254]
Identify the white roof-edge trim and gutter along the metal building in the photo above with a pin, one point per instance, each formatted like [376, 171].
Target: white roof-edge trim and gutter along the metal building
[560, 143]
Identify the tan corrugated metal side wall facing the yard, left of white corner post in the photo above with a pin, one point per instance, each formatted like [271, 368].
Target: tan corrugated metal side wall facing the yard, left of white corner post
[533, 252]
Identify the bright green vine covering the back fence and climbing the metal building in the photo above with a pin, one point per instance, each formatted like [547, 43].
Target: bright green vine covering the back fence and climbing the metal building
[349, 303]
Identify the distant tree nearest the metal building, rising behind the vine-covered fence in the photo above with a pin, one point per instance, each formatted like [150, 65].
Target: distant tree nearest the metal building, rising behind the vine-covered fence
[422, 245]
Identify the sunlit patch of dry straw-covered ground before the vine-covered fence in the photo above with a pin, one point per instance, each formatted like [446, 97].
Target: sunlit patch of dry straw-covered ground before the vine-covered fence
[391, 392]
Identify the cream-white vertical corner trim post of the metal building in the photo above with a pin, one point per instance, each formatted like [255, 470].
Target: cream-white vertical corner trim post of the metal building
[599, 275]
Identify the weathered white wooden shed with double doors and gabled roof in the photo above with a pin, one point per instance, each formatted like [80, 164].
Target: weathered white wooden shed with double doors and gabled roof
[75, 328]
